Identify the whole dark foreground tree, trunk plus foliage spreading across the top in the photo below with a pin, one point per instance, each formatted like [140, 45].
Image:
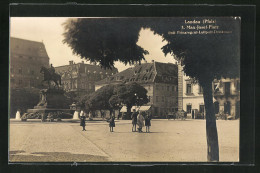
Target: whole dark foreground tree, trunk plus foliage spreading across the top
[204, 56]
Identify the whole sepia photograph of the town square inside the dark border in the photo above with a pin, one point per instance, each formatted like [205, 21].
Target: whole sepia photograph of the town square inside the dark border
[124, 89]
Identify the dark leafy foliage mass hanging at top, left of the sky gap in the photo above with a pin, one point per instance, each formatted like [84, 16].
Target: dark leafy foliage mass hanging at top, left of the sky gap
[105, 40]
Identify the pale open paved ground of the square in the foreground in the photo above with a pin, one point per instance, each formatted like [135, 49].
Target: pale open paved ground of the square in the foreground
[168, 141]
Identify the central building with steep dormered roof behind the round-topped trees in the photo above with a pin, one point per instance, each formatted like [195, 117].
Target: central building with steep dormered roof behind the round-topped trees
[159, 79]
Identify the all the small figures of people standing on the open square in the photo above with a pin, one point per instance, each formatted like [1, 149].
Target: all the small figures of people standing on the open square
[138, 118]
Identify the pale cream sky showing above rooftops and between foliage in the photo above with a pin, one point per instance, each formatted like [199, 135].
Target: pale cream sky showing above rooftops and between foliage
[49, 30]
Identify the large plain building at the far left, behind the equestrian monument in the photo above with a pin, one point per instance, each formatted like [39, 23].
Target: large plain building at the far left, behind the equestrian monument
[26, 59]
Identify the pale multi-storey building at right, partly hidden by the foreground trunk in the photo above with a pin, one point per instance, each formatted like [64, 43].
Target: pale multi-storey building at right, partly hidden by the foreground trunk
[226, 98]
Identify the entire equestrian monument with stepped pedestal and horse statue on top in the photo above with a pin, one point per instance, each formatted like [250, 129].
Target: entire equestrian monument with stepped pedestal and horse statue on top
[53, 104]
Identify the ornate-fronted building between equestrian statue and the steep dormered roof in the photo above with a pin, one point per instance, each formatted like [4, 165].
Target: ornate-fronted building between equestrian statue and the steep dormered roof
[80, 78]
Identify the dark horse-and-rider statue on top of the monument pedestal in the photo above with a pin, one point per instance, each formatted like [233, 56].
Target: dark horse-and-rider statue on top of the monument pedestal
[56, 78]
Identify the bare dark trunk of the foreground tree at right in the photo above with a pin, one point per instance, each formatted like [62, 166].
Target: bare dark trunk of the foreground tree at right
[211, 127]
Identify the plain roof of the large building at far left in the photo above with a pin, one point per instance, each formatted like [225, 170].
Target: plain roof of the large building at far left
[27, 47]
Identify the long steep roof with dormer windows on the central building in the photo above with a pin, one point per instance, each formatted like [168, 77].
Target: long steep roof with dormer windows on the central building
[145, 73]
